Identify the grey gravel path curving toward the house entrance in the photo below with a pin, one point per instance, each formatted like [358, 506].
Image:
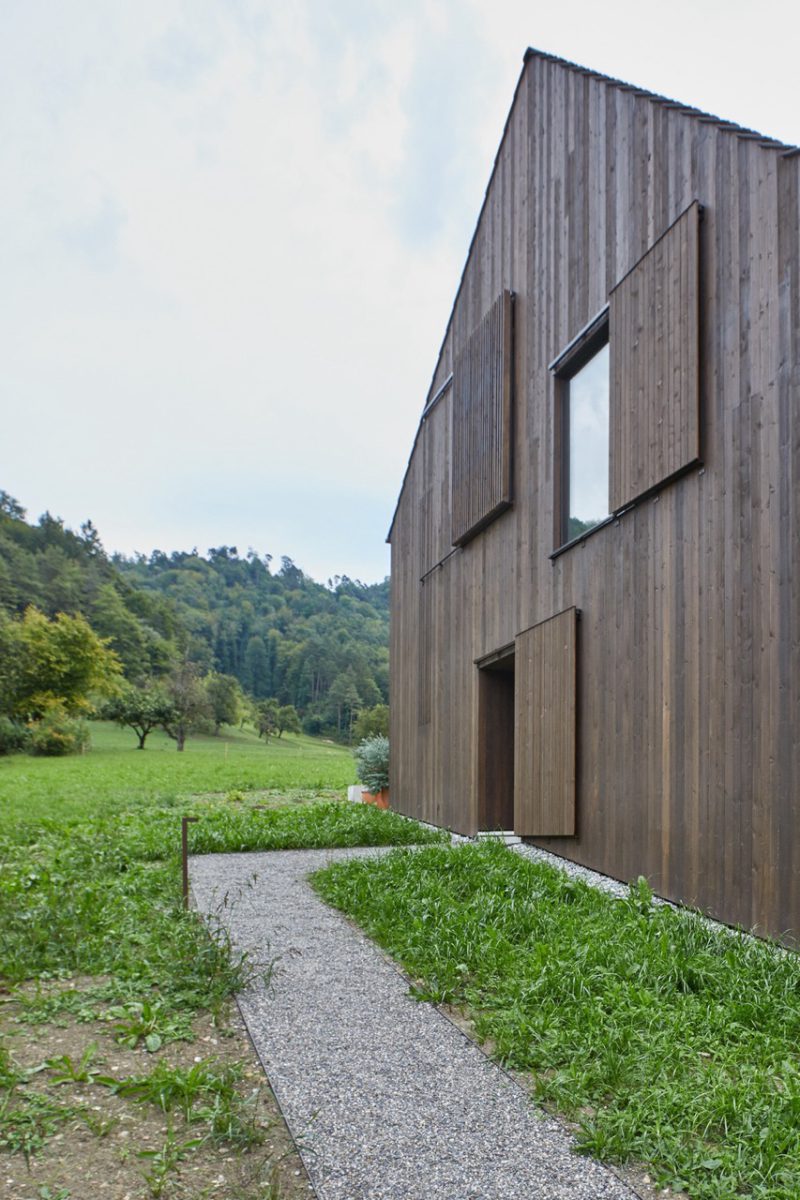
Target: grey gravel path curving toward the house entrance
[384, 1096]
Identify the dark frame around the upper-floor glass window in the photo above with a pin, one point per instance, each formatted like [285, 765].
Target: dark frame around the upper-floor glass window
[584, 347]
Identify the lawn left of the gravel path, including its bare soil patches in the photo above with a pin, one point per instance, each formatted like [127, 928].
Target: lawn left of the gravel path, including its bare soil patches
[117, 1031]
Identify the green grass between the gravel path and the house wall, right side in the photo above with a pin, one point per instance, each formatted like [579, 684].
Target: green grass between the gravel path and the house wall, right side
[665, 1041]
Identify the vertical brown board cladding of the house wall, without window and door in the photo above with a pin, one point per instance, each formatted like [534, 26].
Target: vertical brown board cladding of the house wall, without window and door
[689, 652]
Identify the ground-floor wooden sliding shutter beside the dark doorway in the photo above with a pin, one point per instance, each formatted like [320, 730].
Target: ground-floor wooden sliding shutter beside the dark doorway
[545, 734]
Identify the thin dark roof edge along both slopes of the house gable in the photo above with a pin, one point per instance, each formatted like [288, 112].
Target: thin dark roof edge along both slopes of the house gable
[531, 55]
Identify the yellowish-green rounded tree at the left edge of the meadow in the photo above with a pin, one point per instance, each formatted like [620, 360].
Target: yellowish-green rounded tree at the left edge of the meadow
[53, 663]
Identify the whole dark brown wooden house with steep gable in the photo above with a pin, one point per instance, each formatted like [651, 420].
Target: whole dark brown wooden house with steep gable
[597, 548]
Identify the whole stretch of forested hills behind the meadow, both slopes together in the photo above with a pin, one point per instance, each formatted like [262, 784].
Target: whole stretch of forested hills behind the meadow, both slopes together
[322, 649]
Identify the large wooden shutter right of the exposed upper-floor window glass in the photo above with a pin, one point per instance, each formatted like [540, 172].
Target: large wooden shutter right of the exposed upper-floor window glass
[654, 405]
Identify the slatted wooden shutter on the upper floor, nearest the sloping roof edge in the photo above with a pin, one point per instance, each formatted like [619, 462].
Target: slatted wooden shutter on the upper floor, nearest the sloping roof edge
[482, 423]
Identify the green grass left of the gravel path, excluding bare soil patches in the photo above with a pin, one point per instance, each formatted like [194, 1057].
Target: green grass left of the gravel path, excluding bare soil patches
[91, 889]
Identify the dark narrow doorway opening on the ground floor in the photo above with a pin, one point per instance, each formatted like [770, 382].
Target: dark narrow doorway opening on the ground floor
[496, 724]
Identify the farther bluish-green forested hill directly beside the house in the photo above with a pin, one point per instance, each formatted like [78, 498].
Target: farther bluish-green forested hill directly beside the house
[324, 650]
